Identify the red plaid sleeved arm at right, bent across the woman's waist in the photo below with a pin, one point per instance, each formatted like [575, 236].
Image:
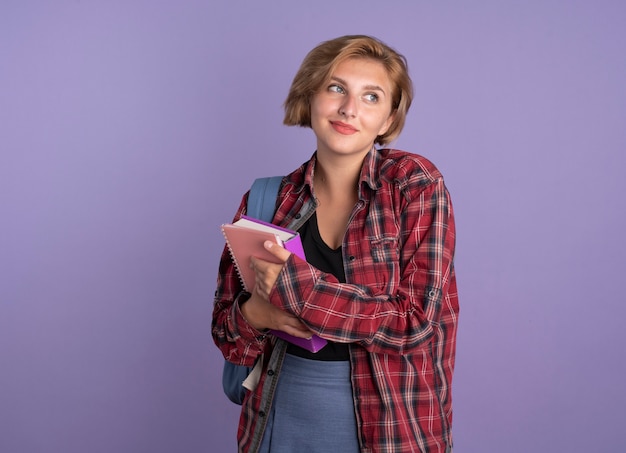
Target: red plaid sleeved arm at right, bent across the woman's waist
[403, 316]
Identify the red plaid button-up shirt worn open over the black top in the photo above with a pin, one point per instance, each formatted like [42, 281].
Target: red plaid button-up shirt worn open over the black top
[398, 308]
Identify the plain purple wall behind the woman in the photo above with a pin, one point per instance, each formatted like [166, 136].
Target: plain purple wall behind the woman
[130, 129]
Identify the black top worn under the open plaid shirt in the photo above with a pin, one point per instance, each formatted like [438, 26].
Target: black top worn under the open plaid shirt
[330, 261]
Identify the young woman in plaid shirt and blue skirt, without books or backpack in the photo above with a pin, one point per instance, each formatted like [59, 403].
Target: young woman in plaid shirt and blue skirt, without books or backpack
[378, 283]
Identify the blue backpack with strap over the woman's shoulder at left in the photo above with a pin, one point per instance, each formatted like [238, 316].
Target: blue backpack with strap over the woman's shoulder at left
[261, 205]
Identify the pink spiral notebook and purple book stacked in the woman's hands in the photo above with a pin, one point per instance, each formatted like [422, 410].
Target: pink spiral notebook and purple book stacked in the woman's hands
[245, 239]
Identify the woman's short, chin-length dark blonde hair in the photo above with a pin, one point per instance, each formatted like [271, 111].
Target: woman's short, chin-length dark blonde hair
[319, 65]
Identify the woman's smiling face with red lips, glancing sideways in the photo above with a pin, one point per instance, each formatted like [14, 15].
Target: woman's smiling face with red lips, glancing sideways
[353, 109]
